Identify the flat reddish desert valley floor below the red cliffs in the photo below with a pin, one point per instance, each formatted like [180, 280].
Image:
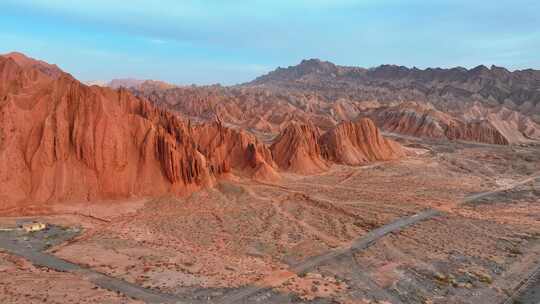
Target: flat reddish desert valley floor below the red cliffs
[451, 223]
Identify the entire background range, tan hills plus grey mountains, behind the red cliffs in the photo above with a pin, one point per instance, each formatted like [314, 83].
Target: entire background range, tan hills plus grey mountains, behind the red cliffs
[490, 105]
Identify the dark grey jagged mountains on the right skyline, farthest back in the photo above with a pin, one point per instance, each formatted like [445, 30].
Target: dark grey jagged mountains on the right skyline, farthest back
[446, 88]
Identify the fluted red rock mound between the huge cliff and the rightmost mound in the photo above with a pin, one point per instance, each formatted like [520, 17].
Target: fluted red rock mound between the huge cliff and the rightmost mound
[297, 149]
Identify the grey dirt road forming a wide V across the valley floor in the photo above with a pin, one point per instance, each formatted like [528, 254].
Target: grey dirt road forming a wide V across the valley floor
[40, 258]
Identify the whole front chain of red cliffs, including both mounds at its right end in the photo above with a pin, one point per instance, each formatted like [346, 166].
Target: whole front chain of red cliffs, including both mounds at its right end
[61, 140]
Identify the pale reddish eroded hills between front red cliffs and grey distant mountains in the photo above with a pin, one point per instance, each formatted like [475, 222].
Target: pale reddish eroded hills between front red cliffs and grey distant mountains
[268, 111]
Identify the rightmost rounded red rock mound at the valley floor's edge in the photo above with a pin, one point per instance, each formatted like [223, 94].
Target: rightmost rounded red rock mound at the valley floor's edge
[355, 143]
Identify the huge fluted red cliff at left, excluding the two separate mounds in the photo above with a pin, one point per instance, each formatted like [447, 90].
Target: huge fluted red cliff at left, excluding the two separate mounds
[61, 140]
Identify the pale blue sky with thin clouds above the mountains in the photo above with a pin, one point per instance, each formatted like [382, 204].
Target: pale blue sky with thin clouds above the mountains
[220, 41]
